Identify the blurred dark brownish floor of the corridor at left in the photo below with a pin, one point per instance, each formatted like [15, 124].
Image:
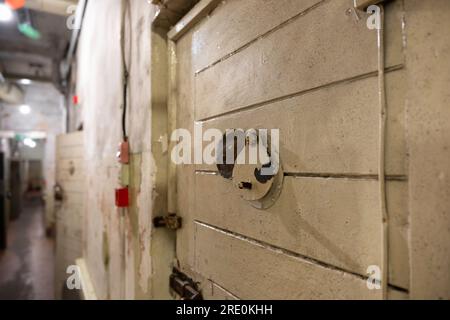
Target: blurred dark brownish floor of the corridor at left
[27, 266]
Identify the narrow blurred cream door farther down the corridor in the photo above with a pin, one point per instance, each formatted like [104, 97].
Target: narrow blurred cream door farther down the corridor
[69, 197]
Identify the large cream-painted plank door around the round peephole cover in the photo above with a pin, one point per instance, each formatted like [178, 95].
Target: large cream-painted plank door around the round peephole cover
[309, 69]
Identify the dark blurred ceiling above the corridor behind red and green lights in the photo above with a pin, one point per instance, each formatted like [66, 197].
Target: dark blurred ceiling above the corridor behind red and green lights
[23, 57]
